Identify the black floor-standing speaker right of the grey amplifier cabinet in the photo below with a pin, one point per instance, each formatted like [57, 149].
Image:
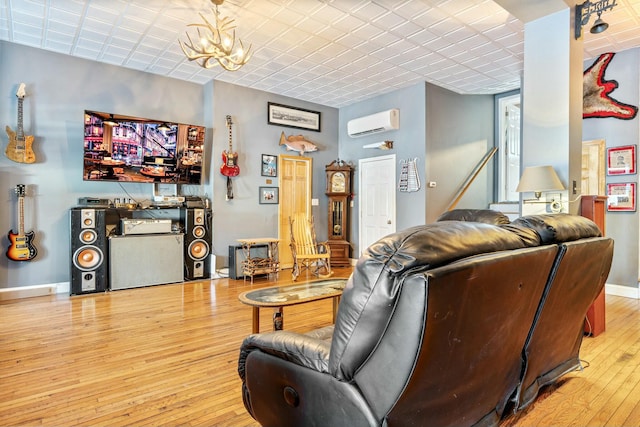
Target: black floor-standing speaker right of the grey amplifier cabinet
[197, 243]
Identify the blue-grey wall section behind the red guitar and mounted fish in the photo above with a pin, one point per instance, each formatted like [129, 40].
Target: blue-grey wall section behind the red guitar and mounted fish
[243, 216]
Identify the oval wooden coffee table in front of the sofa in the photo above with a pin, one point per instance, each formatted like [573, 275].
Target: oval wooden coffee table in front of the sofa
[282, 296]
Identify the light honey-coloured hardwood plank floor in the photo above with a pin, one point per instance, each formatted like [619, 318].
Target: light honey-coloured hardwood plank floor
[167, 355]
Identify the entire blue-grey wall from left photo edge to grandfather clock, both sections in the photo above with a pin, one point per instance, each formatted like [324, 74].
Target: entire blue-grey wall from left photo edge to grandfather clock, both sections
[60, 88]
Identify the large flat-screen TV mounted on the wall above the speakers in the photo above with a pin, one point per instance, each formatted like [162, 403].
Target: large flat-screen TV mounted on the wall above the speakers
[123, 148]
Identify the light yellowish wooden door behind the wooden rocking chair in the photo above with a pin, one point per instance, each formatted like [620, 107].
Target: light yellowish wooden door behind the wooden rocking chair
[296, 174]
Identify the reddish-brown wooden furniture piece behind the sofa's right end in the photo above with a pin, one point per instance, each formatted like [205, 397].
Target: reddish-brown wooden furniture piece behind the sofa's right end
[594, 208]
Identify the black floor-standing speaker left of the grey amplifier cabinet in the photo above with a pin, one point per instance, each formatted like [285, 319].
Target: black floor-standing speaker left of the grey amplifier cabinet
[89, 268]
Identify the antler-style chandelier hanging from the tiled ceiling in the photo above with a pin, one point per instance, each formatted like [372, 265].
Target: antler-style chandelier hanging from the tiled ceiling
[216, 43]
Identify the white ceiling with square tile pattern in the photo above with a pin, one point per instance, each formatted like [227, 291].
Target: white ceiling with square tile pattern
[331, 52]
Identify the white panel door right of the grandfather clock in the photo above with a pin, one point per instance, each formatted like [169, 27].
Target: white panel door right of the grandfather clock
[377, 191]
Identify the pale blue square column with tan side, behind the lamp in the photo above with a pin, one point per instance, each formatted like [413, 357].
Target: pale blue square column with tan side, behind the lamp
[552, 96]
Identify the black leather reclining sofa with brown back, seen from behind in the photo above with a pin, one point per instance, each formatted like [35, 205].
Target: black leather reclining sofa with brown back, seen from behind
[446, 324]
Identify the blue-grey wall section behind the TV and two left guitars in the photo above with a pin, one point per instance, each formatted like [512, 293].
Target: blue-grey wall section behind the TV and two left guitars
[59, 88]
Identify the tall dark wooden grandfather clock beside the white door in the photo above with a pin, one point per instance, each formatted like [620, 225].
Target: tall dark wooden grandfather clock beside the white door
[339, 192]
